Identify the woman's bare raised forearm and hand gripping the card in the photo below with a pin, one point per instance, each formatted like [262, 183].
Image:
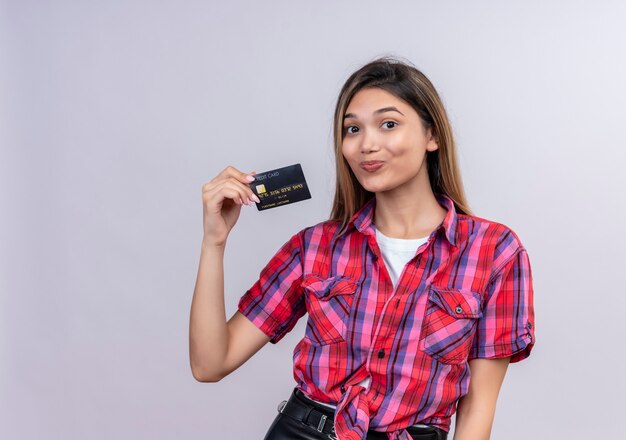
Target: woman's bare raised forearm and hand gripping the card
[218, 347]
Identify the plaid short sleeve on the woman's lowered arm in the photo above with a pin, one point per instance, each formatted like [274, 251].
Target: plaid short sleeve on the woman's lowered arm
[507, 326]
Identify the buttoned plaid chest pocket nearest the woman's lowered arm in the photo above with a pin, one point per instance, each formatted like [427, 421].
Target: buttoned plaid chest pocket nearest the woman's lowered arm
[450, 323]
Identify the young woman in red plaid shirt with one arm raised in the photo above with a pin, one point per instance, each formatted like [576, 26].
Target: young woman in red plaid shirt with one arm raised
[408, 294]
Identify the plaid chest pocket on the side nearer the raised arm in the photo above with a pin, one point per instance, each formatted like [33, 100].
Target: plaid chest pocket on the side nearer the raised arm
[329, 301]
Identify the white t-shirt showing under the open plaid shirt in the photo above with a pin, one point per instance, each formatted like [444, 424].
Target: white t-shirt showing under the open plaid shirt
[396, 253]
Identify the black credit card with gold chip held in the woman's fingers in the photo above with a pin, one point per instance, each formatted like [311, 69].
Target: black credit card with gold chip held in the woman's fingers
[279, 187]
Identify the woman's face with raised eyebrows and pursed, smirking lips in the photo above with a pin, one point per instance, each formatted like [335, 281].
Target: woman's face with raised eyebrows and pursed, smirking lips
[385, 142]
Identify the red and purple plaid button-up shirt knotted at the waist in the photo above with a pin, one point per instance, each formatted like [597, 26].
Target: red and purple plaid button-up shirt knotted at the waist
[467, 293]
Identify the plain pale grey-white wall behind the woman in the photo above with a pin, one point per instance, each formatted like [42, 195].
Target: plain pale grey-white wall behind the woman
[113, 114]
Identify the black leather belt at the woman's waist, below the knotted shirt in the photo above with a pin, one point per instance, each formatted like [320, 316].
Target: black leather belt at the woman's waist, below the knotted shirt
[321, 418]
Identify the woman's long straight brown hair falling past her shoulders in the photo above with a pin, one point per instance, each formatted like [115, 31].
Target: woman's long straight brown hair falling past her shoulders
[406, 82]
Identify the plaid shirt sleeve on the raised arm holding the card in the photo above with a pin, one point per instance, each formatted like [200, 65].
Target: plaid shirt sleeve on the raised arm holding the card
[275, 301]
